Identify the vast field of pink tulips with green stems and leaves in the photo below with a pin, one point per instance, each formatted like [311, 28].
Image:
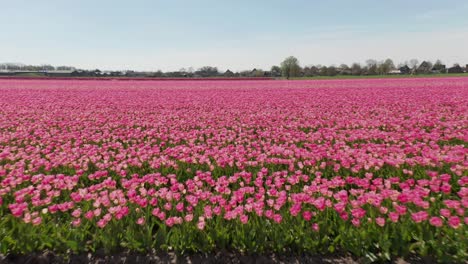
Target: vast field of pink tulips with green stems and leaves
[375, 168]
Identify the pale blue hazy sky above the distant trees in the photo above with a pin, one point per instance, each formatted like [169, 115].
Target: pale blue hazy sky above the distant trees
[237, 35]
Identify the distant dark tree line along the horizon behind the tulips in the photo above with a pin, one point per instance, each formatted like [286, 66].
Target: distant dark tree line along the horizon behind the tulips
[289, 68]
